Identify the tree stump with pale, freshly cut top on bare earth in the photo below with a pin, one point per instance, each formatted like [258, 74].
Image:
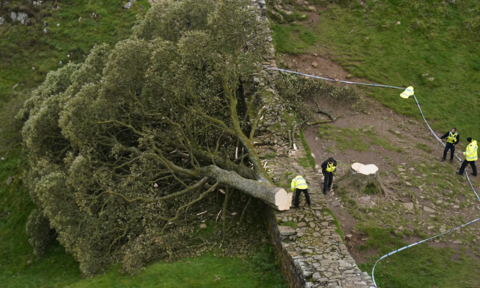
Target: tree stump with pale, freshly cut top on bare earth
[364, 178]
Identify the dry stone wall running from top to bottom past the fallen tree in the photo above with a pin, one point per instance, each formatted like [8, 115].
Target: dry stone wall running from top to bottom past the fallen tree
[311, 251]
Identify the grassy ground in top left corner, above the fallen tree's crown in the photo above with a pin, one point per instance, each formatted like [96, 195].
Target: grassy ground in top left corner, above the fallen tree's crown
[28, 54]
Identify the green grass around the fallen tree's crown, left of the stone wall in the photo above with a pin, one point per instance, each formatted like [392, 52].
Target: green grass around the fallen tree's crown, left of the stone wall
[26, 46]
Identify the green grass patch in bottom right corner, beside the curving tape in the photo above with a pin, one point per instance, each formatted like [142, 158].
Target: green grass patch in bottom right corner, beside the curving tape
[419, 266]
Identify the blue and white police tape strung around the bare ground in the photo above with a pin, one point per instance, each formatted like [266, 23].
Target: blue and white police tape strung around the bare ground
[426, 122]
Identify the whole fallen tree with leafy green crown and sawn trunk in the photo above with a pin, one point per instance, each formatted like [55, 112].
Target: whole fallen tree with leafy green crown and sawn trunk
[122, 146]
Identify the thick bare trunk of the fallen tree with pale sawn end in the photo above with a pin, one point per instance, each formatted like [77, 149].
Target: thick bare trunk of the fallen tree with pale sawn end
[276, 197]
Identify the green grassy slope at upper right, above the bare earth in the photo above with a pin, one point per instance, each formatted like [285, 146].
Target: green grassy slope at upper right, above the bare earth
[433, 39]
